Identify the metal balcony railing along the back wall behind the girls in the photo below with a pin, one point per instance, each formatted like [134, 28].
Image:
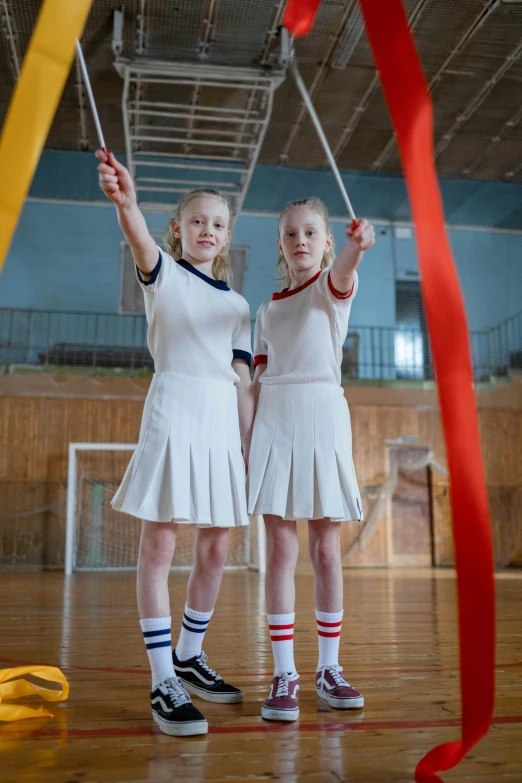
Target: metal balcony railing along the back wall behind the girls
[49, 338]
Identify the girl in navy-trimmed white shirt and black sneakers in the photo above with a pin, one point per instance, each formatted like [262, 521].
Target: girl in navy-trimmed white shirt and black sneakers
[189, 465]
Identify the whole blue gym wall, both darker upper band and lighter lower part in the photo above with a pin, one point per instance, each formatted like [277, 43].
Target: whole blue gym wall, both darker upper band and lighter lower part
[67, 256]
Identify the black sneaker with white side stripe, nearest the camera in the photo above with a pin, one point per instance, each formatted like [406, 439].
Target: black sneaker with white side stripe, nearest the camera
[174, 712]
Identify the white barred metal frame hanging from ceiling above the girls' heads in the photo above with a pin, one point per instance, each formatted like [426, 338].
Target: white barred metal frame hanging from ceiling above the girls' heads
[175, 138]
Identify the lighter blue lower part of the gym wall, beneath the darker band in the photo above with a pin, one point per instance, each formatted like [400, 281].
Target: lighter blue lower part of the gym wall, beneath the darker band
[67, 257]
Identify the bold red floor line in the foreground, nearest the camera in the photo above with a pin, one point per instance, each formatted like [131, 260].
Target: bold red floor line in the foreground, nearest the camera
[259, 728]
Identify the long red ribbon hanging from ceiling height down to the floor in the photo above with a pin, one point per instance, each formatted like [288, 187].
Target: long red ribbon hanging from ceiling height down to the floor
[411, 110]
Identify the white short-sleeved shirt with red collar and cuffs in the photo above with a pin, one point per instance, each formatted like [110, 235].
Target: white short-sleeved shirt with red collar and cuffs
[300, 332]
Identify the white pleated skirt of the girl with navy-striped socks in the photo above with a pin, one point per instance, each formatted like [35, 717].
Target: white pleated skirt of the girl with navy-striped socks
[188, 466]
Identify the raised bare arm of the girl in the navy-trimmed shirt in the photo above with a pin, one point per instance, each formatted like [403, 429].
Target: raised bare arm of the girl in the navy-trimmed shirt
[116, 183]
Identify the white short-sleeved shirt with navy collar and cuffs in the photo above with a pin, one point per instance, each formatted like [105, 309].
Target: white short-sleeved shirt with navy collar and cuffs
[197, 325]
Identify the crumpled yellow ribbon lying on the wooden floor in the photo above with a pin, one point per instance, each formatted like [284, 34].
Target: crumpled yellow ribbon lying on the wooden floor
[13, 688]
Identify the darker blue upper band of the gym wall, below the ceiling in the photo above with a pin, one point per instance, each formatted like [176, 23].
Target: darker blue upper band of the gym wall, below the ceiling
[73, 176]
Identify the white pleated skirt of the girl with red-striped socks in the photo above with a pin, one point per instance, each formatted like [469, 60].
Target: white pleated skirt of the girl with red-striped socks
[301, 464]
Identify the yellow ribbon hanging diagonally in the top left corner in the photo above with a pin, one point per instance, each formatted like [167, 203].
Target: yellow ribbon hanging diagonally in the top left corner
[33, 106]
